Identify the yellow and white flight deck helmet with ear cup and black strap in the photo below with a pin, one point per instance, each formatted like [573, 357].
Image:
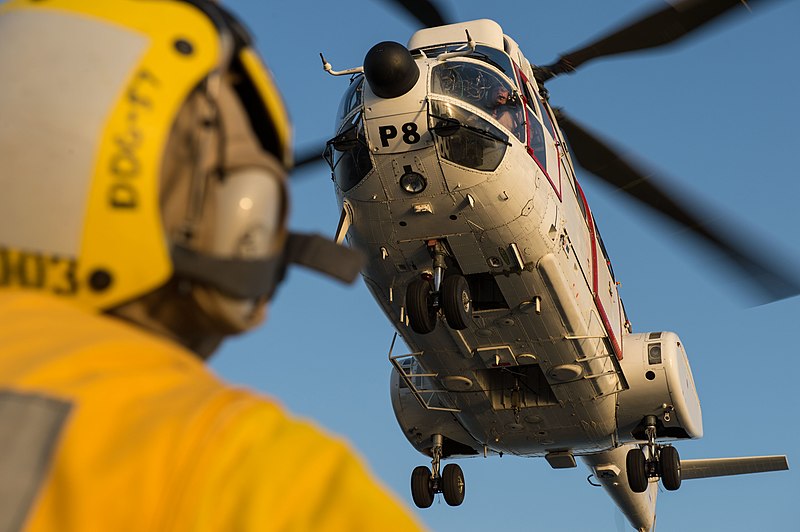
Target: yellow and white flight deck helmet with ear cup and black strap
[88, 106]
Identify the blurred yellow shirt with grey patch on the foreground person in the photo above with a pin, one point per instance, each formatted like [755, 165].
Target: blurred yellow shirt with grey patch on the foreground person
[120, 430]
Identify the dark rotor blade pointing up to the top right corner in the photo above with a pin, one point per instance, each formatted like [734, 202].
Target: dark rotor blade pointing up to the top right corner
[655, 29]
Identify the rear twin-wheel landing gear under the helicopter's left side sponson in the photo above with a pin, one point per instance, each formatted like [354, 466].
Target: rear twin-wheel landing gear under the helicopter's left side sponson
[426, 482]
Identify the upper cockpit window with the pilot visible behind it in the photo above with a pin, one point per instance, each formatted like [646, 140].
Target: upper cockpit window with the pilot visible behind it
[483, 88]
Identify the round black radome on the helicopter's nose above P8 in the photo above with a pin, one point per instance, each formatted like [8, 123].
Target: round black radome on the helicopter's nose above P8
[390, 70]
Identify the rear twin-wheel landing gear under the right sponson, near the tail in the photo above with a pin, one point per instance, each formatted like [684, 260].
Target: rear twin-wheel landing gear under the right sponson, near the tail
[663, 462]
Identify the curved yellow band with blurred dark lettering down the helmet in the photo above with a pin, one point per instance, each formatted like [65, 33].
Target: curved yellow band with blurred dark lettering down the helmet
[124, 232]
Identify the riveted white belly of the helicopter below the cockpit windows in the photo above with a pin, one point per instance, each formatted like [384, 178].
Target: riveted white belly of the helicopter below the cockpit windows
[534, 371]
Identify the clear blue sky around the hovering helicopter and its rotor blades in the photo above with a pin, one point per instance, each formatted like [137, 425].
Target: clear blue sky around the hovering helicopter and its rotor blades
[717, 115]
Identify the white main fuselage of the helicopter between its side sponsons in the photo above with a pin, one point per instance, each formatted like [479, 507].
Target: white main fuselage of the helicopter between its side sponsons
[539, 368]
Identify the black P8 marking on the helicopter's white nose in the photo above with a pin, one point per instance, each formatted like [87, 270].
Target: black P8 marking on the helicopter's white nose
[399, 133]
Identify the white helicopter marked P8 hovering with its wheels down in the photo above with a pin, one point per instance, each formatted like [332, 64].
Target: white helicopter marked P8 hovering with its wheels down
[490, 372]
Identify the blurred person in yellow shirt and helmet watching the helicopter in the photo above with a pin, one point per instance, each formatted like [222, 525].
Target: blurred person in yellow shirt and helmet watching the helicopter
[143, 219]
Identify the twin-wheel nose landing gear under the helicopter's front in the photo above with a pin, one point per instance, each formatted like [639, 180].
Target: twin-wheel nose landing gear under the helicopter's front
[427, 294]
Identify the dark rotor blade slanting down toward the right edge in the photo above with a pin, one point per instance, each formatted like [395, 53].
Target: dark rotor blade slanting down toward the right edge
[600, 159]
